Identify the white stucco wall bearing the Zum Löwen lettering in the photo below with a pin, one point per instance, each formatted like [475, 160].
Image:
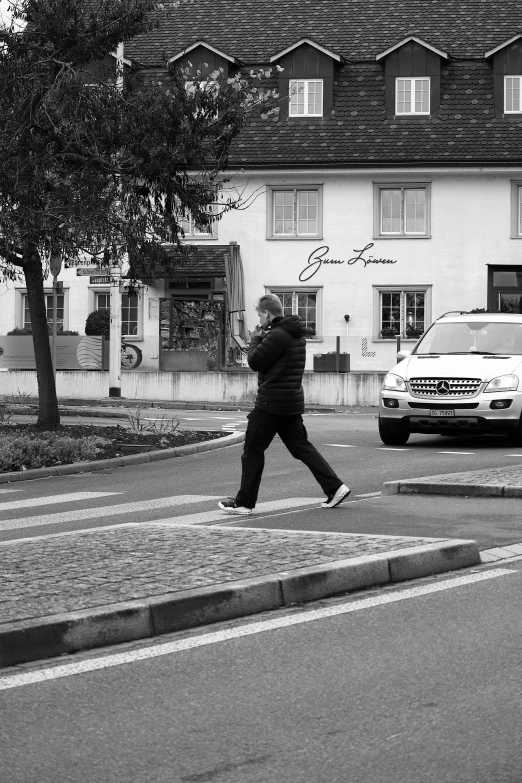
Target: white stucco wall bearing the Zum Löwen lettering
[470, 228]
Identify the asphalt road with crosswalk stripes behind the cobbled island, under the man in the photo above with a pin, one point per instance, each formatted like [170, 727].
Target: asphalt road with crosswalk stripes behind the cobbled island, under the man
[348, 440]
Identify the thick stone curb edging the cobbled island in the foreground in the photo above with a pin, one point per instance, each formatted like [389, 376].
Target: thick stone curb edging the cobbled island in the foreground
[49, 637]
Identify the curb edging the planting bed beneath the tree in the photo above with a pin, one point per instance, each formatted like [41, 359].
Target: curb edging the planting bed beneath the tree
[119, 462]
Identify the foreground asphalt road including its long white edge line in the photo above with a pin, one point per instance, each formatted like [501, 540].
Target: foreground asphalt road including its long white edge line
[414, 683]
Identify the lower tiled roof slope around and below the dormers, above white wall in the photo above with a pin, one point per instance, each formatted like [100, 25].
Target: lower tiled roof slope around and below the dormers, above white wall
[358, 134]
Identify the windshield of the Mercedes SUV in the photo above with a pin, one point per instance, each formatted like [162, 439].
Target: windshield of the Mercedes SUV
[484, 337]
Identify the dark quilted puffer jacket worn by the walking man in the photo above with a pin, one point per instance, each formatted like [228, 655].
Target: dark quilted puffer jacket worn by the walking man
[279, 358]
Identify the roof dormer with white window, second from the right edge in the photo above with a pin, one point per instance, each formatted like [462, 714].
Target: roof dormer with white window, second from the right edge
[412, 71]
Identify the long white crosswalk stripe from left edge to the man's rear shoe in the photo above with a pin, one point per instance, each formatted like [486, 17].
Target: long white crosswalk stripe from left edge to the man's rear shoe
[103, 511]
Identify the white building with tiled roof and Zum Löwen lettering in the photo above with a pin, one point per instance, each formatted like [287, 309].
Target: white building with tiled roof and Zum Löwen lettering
[386, 191]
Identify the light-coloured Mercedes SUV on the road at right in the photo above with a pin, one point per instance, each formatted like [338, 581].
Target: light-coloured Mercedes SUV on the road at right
[463, 376]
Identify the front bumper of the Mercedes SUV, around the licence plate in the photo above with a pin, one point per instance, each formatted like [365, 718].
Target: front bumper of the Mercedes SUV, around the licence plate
[469, 415]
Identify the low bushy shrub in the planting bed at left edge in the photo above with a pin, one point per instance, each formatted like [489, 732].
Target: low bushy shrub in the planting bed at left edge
[41, 449]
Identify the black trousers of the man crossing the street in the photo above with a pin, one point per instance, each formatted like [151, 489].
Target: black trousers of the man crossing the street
[261, 430]
